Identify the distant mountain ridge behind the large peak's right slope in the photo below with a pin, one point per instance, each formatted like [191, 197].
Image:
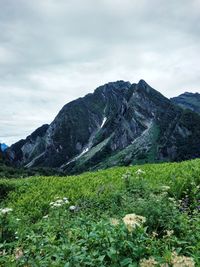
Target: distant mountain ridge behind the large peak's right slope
[188, 101]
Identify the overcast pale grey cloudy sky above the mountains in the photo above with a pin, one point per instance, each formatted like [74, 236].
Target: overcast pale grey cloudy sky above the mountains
[53, 51]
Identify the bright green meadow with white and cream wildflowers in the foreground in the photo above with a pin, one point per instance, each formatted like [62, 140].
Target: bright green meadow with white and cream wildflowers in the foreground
[80, 220]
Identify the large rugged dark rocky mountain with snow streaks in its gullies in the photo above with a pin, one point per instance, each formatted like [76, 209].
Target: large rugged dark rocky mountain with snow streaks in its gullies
[119, 124]
